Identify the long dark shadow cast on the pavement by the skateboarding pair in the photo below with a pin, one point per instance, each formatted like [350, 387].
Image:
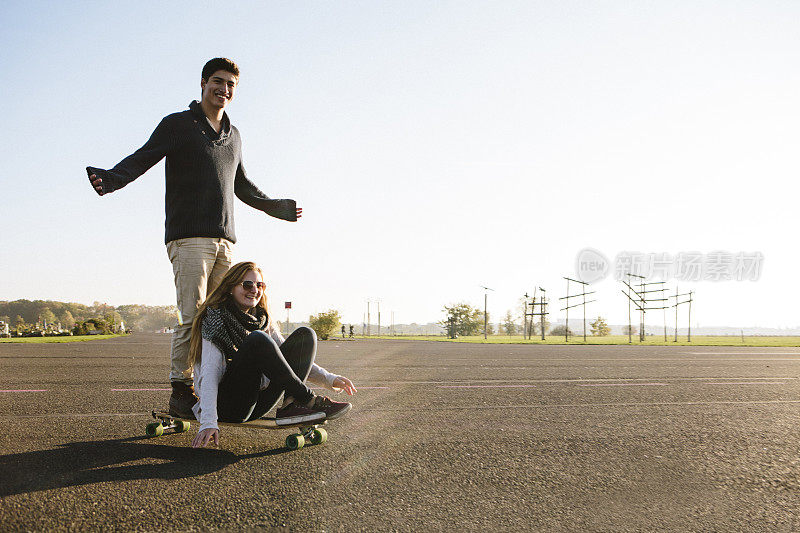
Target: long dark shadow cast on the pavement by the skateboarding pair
[84, 463]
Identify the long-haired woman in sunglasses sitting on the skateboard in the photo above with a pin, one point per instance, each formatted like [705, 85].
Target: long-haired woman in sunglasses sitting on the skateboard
[242, 364]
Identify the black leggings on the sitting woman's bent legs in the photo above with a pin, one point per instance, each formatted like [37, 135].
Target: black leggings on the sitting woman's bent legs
[240, 399]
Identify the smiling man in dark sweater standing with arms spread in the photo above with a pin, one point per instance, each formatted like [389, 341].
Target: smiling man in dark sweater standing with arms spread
[204, 171]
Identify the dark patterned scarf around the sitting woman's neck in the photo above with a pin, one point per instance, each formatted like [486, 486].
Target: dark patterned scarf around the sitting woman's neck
[227, 326]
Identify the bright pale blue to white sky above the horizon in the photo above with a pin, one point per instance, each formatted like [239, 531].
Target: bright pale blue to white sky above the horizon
[434, 146]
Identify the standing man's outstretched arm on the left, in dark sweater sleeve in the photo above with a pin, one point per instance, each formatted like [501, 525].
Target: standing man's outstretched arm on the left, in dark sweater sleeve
[136, 164]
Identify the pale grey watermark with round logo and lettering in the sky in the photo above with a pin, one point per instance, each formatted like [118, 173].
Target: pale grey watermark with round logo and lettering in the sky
[592, 266]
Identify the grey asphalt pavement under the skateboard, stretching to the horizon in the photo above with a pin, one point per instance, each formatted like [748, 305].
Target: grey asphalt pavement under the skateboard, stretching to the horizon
[441, 436]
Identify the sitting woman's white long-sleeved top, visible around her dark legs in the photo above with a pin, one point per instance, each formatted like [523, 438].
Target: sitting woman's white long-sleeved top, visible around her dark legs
[208, 373]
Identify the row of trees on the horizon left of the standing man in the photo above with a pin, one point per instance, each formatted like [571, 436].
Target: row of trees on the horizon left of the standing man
[26, 316]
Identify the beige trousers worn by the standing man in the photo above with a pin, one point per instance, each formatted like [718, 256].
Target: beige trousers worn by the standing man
[199, 264]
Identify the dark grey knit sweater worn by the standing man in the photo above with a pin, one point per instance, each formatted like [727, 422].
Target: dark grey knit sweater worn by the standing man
[204, 170]
